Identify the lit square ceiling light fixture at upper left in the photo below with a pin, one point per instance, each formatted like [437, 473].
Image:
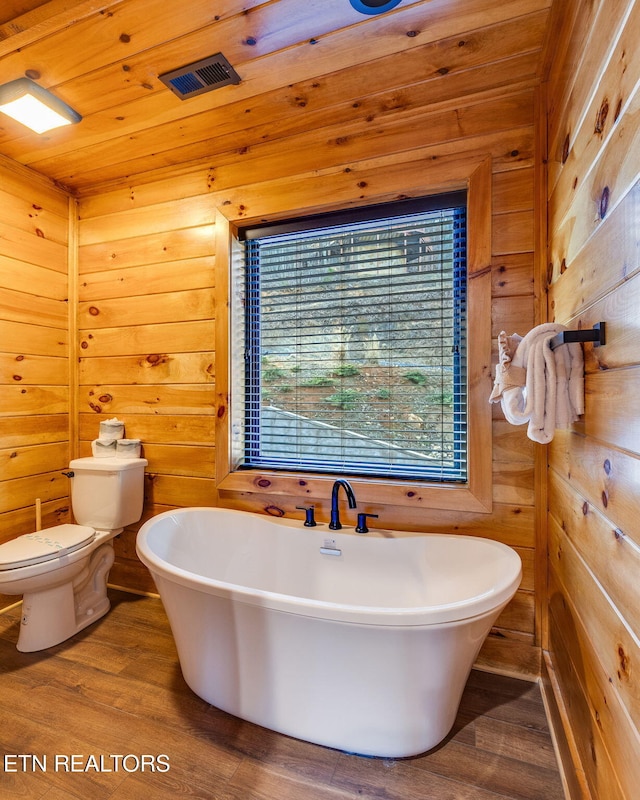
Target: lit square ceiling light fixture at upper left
[35, 107]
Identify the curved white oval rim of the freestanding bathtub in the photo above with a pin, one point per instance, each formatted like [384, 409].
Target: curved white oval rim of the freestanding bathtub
[406, 617]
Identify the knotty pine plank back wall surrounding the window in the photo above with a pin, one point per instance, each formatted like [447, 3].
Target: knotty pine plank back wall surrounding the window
[146, 315]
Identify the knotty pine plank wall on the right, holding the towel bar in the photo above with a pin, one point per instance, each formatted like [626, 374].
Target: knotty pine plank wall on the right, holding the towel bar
[594, 469]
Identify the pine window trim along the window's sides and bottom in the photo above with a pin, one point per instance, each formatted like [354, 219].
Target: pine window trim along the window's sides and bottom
[473, 496]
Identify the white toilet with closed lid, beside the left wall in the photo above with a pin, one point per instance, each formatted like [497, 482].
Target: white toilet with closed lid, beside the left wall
[62, 571]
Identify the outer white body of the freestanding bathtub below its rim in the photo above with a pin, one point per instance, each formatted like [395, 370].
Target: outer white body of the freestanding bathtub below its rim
[387, 691]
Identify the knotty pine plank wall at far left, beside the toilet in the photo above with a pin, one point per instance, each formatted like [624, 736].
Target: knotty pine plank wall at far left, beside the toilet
[34, 366]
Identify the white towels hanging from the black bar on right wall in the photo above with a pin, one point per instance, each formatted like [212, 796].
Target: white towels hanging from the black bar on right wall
[552, 393]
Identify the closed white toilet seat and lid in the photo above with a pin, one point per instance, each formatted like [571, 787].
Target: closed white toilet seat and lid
[45, 545]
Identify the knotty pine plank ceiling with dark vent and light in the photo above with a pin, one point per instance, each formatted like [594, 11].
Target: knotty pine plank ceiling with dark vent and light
[315, 75]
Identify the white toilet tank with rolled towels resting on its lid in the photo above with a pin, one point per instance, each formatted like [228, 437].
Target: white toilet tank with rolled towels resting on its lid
[107, 493]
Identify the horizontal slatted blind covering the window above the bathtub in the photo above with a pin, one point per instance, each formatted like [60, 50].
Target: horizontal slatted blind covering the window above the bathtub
[355, 346]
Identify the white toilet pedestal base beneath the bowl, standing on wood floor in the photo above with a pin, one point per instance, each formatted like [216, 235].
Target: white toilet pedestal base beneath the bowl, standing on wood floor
[51, 615]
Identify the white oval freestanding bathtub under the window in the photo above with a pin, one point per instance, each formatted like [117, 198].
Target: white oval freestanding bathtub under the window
[358, 642]
